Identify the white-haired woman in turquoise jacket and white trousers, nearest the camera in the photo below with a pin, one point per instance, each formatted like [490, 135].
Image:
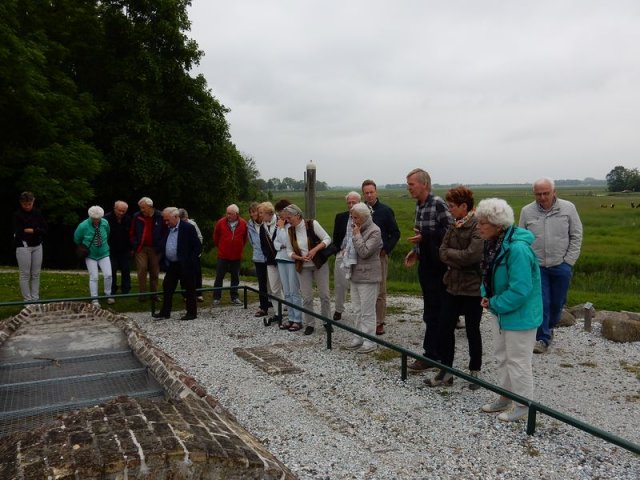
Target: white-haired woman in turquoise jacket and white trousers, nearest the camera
[511, 291]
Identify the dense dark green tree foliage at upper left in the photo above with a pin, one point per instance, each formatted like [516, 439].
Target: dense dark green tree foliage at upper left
[97, 104]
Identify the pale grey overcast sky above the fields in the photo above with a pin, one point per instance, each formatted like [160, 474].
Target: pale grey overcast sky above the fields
[473, 91]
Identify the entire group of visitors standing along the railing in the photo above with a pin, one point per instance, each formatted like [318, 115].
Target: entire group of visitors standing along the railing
[468, 258]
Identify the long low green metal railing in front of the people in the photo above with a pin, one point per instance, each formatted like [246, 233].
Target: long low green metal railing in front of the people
[534, 407]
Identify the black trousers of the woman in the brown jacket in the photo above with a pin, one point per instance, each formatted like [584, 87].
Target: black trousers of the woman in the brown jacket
[452, 307]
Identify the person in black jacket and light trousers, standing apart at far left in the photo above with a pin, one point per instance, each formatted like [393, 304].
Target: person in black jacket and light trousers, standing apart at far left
[29, 227]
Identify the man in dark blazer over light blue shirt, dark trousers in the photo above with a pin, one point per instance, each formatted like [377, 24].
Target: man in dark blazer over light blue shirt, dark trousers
[181, 248]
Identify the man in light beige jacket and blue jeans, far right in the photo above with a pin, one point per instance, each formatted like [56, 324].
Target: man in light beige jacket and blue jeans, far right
[558, 230]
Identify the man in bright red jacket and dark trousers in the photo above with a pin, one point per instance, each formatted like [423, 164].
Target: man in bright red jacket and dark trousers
[230, 235]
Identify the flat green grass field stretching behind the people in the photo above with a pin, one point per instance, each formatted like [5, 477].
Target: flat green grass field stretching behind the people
[607, 274]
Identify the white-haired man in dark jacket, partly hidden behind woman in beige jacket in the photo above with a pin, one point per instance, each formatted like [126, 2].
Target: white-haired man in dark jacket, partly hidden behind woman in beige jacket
[342, 233]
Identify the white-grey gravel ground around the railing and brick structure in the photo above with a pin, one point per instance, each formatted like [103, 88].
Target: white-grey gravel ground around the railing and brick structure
[350, 416]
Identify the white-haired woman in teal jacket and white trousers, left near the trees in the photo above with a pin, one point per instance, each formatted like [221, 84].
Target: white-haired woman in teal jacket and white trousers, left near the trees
[92, 234]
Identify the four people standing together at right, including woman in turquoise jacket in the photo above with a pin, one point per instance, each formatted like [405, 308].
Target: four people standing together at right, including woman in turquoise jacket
[470, 259]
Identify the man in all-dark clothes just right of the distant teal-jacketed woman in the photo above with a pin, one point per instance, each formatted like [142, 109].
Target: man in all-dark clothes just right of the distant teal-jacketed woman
[119, 247]
